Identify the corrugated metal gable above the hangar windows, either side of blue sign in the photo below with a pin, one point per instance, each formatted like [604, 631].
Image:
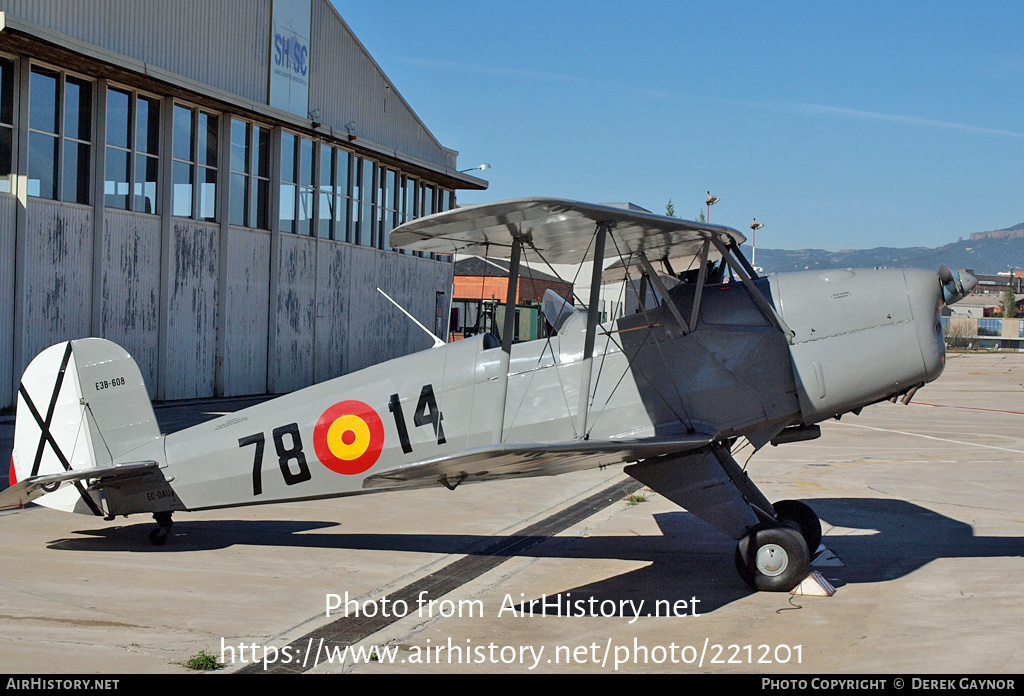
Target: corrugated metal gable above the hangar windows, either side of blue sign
[227, 45]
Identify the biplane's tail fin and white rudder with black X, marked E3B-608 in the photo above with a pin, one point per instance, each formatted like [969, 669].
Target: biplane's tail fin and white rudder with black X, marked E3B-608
[81, 406]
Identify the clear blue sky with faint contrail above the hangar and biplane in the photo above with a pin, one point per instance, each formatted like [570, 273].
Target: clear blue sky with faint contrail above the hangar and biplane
[838, 125]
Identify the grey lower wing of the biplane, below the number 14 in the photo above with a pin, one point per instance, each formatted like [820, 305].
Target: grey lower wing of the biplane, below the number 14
[530, 459]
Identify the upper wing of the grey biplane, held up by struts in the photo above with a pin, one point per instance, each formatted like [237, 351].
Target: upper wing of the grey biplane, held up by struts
[561, 230]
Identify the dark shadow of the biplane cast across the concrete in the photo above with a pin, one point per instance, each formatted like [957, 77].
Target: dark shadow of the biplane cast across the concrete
[878, 540]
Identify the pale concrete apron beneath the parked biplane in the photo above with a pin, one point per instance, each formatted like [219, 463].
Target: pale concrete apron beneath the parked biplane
[921, 507]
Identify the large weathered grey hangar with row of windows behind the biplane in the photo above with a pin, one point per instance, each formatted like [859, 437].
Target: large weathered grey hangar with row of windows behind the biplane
[210, 185]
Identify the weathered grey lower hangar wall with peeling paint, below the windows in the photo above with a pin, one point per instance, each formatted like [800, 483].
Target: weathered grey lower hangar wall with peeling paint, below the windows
[330, 320]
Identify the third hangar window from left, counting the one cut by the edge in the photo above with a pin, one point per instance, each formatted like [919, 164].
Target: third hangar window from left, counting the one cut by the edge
[133, 152]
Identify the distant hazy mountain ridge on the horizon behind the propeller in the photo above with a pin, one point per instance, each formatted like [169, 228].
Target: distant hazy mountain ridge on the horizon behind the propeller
[1000, 250]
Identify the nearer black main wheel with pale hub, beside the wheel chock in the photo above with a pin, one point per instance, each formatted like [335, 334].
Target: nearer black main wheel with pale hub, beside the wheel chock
[773, 559]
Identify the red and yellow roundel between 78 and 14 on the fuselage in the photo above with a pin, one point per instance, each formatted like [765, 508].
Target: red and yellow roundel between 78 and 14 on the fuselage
[349, 438]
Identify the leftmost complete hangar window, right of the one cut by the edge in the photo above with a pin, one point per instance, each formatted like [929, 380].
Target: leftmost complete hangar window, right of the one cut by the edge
[60, 136]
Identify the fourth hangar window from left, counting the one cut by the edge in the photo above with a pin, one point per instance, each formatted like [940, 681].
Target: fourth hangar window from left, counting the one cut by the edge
[194, 169]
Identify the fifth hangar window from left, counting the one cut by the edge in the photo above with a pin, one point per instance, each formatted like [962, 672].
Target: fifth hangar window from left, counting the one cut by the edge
[250, 188]
